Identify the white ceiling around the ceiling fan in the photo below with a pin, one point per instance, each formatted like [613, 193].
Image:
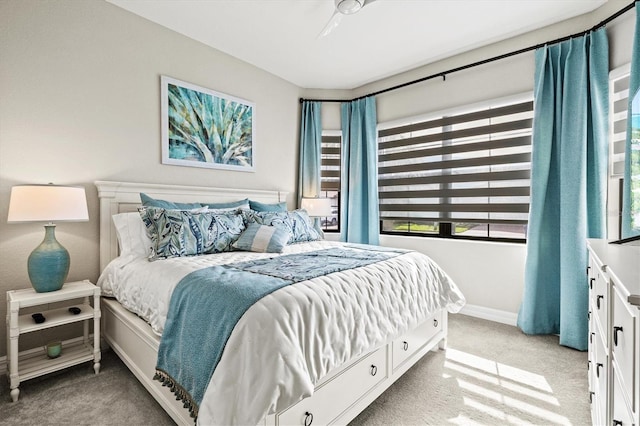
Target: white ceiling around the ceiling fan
[384, 38]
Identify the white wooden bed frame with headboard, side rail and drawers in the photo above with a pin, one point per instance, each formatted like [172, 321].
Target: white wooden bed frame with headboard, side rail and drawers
[338, 398]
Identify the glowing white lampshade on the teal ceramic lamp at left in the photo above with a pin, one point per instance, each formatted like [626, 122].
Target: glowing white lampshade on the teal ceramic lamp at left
[47, 203]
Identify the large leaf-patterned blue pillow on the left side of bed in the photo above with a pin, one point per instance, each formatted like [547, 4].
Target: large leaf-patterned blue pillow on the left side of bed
[176, 233]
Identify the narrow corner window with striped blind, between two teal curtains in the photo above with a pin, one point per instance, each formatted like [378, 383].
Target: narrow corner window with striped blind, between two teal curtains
[330, 177]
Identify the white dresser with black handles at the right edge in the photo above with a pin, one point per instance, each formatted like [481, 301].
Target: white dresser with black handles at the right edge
[614, 335]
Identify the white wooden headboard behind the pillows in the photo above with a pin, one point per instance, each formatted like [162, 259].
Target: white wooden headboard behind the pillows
[120, 197]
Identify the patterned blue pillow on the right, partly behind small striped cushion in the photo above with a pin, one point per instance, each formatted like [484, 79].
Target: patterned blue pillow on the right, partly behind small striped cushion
[297, 222]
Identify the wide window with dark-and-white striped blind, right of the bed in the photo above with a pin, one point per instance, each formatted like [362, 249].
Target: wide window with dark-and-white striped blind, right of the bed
[460, 174]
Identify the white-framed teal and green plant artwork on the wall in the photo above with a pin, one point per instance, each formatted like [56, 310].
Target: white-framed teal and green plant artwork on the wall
[204, 128]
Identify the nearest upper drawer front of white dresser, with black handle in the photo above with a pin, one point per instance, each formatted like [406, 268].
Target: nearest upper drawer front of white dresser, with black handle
[623, 333]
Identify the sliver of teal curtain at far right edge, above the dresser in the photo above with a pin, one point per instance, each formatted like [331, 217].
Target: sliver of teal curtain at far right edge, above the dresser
[631, 204]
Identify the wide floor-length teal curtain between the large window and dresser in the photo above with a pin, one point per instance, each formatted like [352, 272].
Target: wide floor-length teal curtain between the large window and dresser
[568, 185]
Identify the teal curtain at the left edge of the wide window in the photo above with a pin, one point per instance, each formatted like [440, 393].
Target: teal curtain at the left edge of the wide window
[359, 182]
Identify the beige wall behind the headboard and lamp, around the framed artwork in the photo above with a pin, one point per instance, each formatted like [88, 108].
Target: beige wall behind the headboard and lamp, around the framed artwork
[80, 101]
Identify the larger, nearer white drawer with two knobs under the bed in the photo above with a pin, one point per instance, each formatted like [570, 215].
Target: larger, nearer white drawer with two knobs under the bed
[354, 382]
